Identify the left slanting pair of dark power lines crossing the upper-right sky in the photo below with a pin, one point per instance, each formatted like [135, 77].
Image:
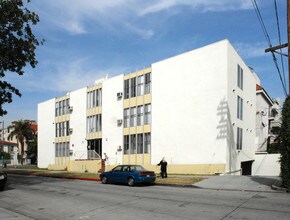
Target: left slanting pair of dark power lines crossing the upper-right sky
[269, 42]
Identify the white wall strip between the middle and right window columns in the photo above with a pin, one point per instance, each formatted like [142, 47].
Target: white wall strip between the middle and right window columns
[112, 110]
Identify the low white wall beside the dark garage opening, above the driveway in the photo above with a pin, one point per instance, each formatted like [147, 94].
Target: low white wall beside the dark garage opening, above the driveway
[266, 165]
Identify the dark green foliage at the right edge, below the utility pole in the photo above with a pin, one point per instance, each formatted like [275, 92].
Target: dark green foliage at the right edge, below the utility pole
[284, 144]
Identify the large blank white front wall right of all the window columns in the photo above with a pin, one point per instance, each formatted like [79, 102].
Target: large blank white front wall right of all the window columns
[188, 92]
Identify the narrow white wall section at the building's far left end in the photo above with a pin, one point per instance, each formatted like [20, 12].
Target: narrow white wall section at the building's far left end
[46, 133]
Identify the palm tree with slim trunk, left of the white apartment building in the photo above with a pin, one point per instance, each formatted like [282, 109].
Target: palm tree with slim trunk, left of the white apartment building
[23, 132]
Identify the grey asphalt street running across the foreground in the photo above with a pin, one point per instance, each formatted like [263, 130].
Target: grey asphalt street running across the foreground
[30, 197]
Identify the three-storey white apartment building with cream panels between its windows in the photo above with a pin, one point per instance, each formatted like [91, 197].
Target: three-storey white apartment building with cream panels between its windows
[196, 109]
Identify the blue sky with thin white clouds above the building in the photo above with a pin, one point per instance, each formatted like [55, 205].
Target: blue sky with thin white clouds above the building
[88, 39]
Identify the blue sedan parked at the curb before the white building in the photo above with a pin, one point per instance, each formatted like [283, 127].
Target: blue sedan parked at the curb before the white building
[130, 174]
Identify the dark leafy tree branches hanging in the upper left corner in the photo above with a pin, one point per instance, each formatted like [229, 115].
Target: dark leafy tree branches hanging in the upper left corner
[17, 45]
